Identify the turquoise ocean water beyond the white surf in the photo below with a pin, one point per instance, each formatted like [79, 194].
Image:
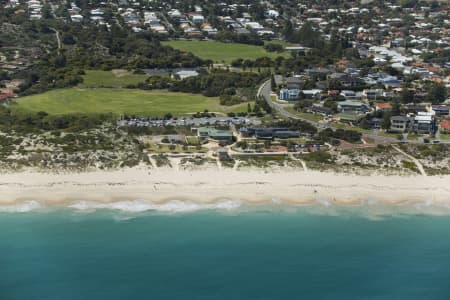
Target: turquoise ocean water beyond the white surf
[262, 254]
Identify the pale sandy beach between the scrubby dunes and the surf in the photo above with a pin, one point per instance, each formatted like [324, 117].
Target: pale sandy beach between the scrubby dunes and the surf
[138, 188]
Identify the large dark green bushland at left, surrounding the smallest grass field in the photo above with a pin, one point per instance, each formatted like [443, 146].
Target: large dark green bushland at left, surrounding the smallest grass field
[86, 46]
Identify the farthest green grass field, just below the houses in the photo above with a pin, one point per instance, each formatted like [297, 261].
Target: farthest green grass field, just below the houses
[222, 52]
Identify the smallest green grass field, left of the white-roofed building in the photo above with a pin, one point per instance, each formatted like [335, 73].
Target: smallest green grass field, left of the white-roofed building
[115, 78]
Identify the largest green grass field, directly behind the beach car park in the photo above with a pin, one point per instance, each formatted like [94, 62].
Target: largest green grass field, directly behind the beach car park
[121, 101]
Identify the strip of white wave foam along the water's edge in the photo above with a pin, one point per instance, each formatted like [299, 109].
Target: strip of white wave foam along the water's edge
[371, 208]
